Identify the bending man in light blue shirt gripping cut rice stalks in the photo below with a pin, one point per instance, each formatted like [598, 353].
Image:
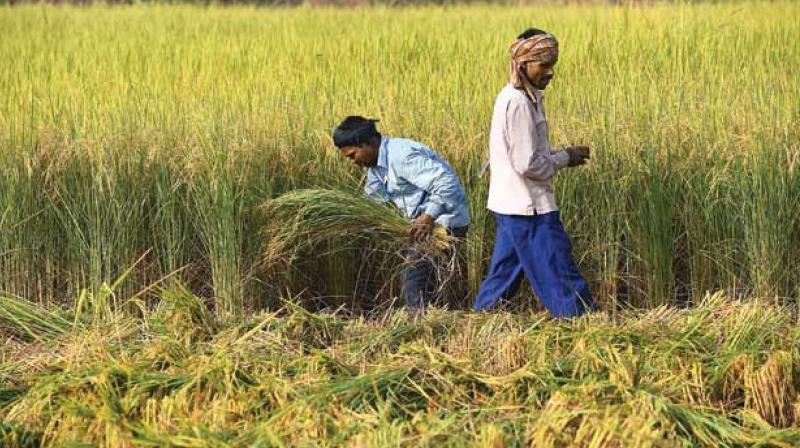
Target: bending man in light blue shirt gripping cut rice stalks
[421, 184]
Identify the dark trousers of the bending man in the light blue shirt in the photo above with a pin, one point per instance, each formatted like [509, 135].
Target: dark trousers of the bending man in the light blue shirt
[420, 277]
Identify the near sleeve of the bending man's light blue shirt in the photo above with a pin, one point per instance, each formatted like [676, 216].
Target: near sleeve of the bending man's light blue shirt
[438, 180]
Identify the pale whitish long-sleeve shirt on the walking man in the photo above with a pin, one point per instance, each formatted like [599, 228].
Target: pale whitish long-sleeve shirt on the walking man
[520, 158]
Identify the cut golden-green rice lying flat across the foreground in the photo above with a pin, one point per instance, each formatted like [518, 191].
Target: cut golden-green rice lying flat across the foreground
[722, 374]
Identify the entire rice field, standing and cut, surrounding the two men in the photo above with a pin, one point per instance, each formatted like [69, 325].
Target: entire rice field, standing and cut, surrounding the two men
[144, 303]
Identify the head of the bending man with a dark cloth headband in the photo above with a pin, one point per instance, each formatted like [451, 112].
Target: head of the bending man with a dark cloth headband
[358, 140]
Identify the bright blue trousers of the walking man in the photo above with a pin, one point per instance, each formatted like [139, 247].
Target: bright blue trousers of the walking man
[538, 247]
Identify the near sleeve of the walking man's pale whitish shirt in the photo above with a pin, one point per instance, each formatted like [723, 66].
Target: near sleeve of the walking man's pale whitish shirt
[525, 159]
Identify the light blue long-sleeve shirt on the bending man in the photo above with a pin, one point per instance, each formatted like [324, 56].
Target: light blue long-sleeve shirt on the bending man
[417, 181]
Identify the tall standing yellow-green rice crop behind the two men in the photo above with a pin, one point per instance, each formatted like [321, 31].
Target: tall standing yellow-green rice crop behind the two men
[159, 130]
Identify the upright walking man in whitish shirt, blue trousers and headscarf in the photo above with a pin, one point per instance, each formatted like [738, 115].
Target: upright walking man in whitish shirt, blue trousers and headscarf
[530, 240]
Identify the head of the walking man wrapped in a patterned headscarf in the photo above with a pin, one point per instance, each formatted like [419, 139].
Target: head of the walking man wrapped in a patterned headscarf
[533, 56]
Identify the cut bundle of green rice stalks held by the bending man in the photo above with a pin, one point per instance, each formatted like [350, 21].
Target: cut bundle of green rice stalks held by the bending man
[303, 219]
